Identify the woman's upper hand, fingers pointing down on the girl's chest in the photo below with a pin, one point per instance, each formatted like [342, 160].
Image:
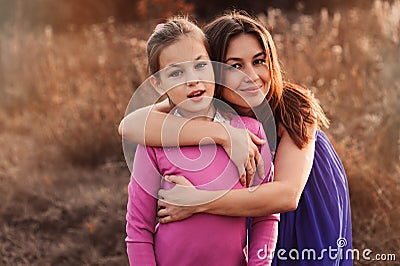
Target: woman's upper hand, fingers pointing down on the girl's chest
[243, 152]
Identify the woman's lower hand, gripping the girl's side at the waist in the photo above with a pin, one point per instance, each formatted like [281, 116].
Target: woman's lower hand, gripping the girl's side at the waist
[183, 194]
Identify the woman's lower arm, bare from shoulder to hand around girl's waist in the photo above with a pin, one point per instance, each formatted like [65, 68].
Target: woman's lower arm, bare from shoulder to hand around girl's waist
[292, 168]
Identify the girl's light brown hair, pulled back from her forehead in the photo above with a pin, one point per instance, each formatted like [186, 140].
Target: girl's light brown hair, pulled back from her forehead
[166, 34]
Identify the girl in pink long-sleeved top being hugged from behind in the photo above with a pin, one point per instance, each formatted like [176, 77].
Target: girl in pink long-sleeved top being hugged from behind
[203, 239]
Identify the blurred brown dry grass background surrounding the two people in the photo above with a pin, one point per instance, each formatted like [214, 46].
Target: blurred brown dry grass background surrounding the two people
[69, 68]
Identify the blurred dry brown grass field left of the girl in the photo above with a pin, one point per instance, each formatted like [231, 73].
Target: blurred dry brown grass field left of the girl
[62, 181]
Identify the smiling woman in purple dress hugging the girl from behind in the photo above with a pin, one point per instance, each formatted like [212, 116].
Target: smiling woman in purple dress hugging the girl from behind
[310, 187]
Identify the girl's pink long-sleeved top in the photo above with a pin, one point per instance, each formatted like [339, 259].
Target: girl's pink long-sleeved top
[202, 239]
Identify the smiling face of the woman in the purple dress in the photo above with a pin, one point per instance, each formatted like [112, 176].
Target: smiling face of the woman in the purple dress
[246, 90]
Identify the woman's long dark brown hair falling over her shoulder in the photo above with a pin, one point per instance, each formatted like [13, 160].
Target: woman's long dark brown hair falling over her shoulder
[293, 106]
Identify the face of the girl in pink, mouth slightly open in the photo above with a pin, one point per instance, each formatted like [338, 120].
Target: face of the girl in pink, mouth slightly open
[187, 77]
